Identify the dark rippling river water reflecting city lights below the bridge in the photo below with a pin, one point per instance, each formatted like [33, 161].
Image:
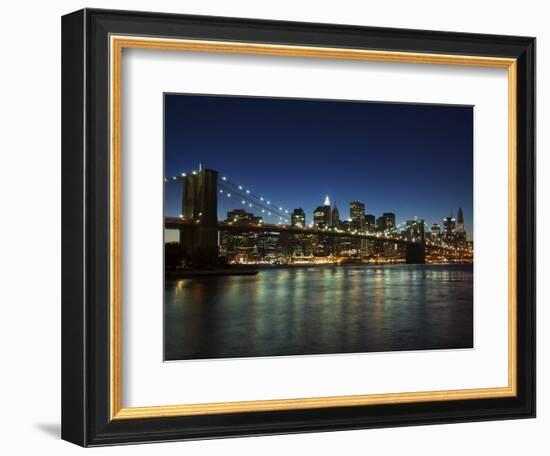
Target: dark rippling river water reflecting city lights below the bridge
[329, 309]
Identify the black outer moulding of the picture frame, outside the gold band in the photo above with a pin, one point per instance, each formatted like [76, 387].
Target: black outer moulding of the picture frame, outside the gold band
[85, 225]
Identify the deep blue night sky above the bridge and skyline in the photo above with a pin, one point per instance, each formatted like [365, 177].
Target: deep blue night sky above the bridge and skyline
[410, 159]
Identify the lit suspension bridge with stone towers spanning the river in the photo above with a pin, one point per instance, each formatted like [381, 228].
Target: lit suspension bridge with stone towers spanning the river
[199, 227]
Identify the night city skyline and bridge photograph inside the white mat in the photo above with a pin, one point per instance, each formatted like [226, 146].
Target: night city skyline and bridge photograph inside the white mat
[316, 227]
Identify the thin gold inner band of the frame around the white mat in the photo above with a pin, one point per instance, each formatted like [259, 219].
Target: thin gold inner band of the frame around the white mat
[117, 44]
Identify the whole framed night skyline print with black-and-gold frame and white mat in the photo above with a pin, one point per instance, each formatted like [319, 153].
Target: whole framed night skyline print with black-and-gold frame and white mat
[277, 227]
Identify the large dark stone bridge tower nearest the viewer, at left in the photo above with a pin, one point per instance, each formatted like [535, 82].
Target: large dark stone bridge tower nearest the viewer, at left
[199, 239]
